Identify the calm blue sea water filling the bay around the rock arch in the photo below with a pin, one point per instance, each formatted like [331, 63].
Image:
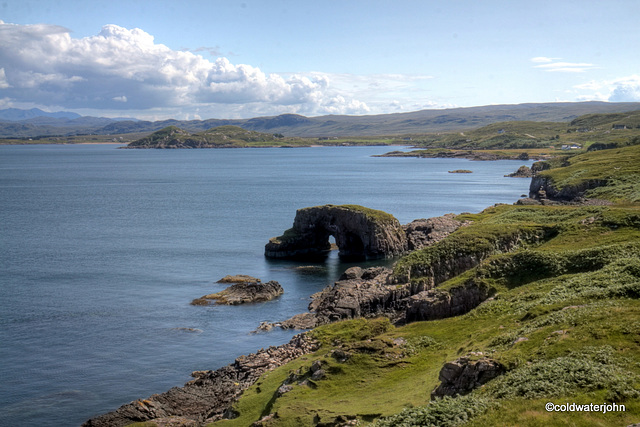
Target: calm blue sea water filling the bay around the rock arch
[102, 249]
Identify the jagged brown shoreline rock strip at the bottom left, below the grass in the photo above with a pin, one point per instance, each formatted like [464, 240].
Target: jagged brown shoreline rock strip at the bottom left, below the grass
[209, 396]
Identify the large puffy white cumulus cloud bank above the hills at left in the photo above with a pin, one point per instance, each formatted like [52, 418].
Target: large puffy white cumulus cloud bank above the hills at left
[122, 68]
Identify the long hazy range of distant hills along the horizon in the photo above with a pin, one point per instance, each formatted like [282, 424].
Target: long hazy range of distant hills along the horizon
[293, 125]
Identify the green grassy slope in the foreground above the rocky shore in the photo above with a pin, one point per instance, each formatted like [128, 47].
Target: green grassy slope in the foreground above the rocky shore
[564, 320]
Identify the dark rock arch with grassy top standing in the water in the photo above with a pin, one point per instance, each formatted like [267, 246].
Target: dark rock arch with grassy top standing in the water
[360, 233]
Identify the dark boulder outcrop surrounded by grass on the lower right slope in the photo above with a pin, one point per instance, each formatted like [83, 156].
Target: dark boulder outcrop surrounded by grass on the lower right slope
[463, 375]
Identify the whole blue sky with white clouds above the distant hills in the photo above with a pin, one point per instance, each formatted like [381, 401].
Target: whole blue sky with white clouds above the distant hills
[200, 59]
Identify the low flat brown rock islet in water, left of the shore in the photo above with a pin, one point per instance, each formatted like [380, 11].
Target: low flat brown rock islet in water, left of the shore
[242, 293]
